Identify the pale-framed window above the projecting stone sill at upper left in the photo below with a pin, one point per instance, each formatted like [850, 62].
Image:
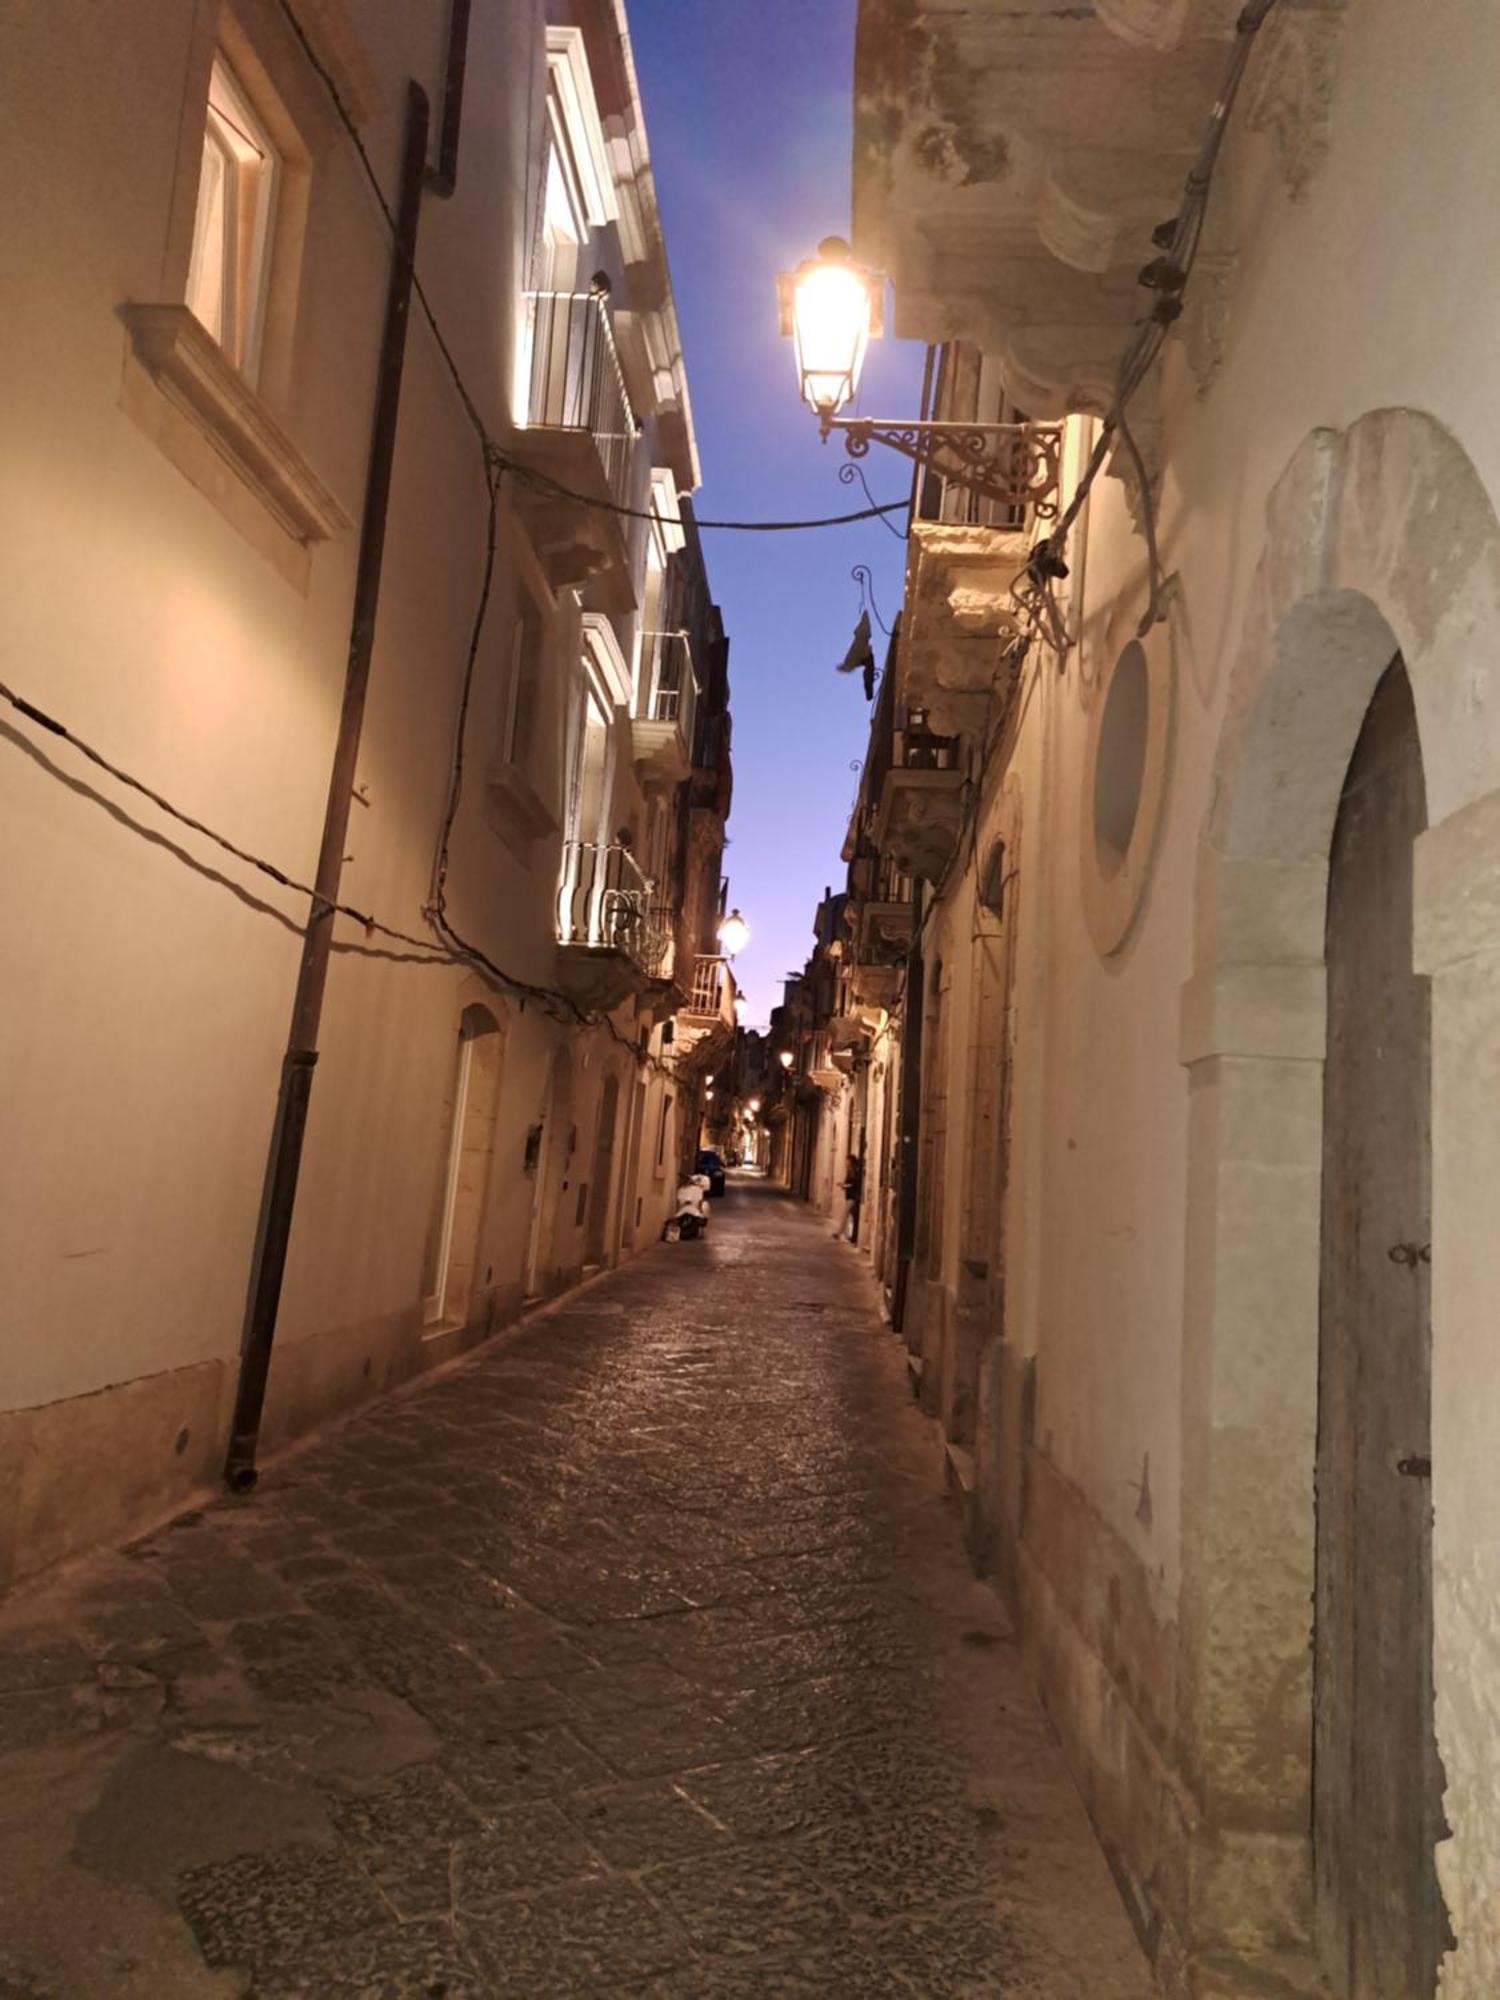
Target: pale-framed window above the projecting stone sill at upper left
[231, 239]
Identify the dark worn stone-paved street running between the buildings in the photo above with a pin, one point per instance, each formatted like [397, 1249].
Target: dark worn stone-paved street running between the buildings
[635, 1655]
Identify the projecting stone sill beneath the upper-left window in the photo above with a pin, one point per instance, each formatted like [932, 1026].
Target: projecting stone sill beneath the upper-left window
[191, 371]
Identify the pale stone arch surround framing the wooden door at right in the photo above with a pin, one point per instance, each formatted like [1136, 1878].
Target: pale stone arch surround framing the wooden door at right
[1379, 539]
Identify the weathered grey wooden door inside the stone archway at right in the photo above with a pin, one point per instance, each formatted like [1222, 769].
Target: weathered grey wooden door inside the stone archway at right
[1377, 1777]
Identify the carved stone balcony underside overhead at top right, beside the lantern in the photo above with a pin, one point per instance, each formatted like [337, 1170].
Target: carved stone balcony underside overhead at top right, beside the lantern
[1011, 165]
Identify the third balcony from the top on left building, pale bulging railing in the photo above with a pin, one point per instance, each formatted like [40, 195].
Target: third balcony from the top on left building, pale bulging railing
[611, 935]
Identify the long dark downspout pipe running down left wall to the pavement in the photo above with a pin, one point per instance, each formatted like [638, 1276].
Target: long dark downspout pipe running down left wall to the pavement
[301, 1057]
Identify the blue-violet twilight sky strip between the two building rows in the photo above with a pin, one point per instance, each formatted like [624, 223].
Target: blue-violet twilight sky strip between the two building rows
[749, 111]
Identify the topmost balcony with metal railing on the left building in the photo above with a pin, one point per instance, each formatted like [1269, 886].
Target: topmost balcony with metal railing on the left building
[581, 435]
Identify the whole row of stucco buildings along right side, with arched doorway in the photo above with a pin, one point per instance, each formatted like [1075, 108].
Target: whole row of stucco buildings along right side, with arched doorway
[1171, 953]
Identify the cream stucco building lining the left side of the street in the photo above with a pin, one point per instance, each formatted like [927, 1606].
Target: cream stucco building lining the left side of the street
[509, 1071]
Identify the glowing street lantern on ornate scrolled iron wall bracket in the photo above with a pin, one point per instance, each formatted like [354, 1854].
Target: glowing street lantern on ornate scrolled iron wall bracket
[833, 309]
